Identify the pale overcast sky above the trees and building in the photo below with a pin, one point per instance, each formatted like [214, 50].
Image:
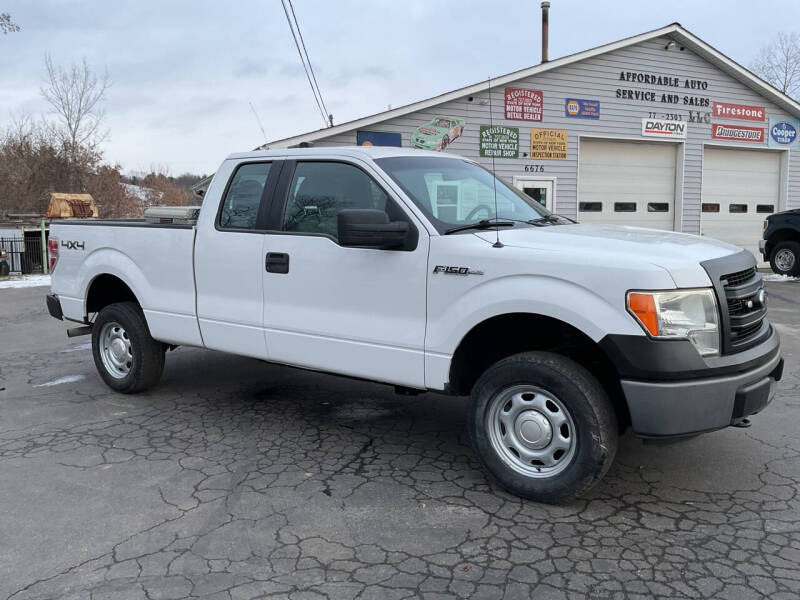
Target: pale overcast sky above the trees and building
[183, 72]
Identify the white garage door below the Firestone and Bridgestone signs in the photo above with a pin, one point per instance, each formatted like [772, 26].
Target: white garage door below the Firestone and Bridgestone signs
[740, 188]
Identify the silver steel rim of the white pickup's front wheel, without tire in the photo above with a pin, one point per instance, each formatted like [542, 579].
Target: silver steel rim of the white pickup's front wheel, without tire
[531, 430]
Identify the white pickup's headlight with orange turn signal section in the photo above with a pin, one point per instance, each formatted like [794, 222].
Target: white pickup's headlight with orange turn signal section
[688, 314]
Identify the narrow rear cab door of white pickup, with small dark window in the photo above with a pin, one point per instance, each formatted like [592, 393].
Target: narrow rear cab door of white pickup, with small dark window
[228, 257]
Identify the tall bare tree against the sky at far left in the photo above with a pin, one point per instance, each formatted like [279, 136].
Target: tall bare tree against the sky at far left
[75, 95]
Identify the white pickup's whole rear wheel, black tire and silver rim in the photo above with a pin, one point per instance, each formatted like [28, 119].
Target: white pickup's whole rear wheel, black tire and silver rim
[126, 356]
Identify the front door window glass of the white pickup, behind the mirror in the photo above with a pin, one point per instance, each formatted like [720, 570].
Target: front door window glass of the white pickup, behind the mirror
[319, 190]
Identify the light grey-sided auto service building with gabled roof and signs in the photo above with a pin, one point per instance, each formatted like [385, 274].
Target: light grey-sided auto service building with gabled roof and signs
[658, 130]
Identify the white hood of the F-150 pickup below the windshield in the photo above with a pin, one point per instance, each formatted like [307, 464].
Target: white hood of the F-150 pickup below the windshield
[679, 253]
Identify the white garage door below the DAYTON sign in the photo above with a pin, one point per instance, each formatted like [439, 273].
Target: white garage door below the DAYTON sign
[627, 183]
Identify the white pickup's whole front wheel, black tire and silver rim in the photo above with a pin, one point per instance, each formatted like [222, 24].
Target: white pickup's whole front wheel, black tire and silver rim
[542, 426]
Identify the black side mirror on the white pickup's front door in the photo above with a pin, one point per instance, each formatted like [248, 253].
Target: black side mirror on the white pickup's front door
[369, 228]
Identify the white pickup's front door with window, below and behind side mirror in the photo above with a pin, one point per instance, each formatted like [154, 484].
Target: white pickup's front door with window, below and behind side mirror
[353, 311]
